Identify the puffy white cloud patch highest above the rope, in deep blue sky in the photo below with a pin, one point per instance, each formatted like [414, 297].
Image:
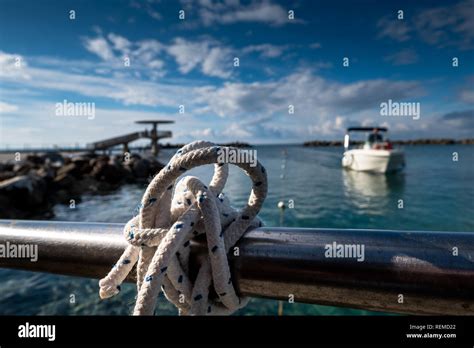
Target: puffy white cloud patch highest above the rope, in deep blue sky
[207, 55]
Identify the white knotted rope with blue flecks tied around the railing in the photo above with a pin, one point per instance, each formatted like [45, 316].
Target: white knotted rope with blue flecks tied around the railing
[171, 214]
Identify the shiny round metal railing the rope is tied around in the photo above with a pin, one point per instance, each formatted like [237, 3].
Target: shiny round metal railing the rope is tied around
[401, 272]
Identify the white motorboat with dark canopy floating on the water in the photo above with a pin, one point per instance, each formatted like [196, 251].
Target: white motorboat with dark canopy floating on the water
[376, 155]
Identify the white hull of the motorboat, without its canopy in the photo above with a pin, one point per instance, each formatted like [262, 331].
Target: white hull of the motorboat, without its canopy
[370, 160]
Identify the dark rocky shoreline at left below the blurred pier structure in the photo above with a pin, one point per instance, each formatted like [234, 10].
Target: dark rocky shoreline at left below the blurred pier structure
[29, 188]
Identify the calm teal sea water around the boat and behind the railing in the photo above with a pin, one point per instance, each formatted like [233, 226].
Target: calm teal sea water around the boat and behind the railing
[437, 194]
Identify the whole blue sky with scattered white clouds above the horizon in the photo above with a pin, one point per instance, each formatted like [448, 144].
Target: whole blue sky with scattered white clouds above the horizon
[139, 60]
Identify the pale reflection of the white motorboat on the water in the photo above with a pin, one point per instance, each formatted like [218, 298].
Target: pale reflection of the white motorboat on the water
[372, 193]
